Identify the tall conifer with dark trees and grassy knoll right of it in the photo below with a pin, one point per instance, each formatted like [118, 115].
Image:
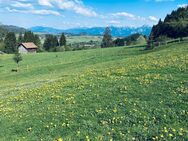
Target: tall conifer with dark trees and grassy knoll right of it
[133, 39]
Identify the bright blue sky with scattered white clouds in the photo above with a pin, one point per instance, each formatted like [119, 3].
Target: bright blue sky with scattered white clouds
[85, 13]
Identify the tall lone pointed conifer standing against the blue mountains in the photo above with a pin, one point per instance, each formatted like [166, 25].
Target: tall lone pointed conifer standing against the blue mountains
[107, 38]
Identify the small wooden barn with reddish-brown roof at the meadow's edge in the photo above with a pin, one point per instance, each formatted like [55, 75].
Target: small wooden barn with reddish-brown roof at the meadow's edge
[29, 47]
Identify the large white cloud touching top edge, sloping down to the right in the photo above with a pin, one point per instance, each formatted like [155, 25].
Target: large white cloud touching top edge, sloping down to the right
[72, 5]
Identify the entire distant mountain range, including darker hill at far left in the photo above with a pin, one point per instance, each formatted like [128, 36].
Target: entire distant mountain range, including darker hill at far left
[93, 31]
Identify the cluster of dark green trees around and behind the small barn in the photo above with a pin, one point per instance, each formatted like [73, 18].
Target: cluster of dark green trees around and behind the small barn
[9, 42]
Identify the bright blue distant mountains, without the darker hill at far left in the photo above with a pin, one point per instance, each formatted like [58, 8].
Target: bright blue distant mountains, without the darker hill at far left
[94, 31]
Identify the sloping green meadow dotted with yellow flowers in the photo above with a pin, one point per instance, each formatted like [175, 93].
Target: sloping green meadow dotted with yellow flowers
[119, 94]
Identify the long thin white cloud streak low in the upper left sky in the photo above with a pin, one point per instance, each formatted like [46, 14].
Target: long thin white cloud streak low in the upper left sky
[38, 12]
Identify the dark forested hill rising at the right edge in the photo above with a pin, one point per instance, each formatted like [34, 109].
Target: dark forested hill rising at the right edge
[175, 25]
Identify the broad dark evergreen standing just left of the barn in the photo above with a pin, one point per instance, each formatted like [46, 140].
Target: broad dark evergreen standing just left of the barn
[10, 43]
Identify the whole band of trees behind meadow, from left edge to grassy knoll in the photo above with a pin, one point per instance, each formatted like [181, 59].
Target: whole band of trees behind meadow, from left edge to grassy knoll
[58, 43]
